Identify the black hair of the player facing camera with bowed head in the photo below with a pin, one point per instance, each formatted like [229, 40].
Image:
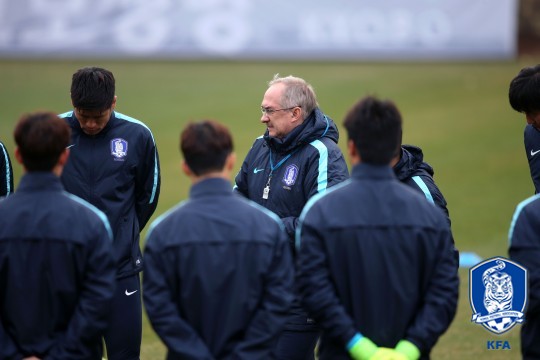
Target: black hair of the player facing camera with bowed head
[92, 88]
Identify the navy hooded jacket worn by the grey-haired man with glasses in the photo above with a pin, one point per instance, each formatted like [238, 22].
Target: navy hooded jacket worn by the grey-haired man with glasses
[306, 162]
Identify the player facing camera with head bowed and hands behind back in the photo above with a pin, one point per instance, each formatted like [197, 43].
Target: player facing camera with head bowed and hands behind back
[114, 165]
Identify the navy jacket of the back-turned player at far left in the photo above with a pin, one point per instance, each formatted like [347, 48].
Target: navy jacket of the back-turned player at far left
[57, 281]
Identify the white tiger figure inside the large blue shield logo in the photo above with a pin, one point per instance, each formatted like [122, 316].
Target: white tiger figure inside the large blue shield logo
[499, 291]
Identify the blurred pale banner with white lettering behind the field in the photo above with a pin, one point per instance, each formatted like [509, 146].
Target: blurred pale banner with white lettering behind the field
[257, 29]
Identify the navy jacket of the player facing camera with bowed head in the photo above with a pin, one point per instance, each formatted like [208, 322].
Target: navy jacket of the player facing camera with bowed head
[116, 170]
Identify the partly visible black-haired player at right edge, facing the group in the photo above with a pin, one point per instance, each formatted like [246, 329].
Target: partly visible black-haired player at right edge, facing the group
[524, 96]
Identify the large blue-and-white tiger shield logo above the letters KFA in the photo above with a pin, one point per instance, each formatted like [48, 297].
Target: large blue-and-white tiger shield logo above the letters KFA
[498, 294]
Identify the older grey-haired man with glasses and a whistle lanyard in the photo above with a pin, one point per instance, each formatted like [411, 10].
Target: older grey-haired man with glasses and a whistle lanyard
[296, 158]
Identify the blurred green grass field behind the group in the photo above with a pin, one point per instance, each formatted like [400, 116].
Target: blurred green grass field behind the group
[457, 112]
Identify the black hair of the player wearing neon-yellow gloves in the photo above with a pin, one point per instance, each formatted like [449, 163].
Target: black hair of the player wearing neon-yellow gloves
[375, 127]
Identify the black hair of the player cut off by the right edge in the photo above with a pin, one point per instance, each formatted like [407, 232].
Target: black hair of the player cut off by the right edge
[524, 91]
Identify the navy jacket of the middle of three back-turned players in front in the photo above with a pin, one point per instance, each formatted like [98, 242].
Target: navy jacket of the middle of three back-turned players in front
[217, 276]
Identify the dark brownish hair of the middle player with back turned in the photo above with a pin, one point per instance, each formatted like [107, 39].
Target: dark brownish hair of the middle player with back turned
[205, 146]
